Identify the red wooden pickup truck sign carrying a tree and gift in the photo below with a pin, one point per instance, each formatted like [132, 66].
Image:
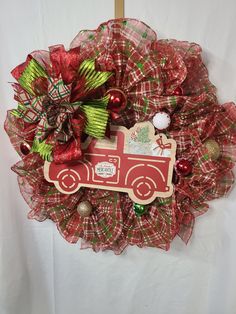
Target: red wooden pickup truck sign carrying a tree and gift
[134, 161]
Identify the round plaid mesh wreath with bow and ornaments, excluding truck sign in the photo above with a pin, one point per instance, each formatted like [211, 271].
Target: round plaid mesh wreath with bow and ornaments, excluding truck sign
[120, 74]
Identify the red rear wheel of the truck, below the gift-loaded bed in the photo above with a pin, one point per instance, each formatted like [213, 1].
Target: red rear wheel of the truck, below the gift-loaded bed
[143, 188]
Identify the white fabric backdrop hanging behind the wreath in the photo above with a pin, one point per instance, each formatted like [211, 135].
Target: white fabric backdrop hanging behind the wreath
[39, 272]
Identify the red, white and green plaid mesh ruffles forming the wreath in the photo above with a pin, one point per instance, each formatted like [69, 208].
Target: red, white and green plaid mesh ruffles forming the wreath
[148, 71]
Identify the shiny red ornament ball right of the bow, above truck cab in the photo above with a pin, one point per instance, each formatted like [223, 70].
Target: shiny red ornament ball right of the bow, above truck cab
[117, 100]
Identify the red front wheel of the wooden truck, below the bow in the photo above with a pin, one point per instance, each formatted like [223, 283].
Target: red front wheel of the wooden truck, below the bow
[68, 180]
